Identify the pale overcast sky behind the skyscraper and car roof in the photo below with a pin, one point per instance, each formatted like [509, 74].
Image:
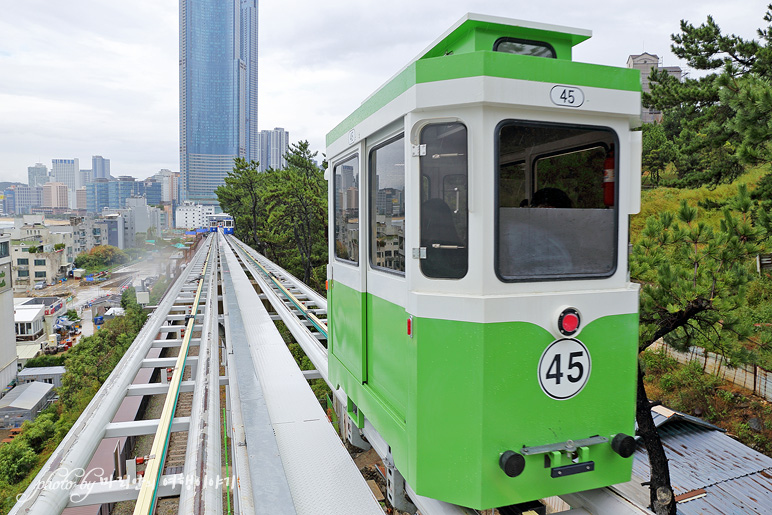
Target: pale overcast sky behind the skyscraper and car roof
[94, 77]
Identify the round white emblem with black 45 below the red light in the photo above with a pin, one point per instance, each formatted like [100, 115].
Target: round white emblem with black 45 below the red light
[564, 368]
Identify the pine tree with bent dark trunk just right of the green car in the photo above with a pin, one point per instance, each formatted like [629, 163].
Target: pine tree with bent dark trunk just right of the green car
[693, 279]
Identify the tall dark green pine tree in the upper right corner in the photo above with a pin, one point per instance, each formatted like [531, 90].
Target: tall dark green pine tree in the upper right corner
[721, 120]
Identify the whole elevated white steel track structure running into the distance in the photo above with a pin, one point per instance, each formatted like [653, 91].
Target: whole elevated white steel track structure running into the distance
[222, 351]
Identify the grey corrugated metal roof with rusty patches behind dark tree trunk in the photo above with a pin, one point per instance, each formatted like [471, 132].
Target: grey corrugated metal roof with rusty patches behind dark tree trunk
[716, 473]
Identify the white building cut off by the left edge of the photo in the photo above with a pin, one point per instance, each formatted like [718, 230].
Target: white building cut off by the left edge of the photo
[7, 336]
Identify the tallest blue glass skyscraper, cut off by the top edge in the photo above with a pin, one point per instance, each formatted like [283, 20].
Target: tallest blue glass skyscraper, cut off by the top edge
[218, 91]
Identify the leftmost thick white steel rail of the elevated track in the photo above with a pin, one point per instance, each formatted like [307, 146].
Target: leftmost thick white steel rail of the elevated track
[50, 490]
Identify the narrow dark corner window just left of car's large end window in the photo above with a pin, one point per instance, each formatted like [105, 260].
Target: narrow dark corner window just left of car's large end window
[444, 196]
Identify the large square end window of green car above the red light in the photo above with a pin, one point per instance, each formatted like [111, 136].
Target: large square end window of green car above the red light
[556, 214]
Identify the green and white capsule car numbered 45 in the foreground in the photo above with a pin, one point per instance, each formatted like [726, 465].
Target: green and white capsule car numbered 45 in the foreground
[481, 313]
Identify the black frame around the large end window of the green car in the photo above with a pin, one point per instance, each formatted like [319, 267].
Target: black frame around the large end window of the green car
[530, 170]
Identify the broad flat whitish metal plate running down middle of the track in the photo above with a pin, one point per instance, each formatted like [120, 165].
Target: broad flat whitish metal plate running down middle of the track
[300, 425]
